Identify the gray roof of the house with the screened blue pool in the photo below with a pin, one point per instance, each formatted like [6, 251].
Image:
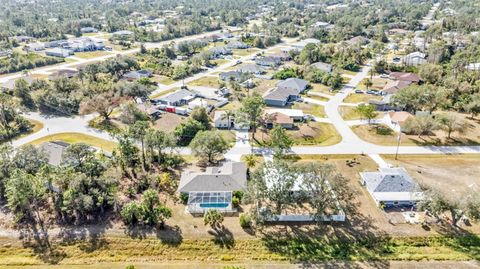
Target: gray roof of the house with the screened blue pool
[231, 176]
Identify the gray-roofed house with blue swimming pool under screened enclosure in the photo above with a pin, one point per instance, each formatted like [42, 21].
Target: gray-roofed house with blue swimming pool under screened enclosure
[213, 188]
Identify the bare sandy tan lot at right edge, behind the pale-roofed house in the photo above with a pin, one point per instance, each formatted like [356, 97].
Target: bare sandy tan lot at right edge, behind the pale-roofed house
[454, 174]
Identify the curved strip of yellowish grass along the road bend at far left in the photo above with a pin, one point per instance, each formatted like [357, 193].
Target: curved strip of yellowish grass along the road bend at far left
[78, 138]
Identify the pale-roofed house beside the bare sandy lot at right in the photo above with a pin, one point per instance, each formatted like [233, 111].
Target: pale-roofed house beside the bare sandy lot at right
[392, 187]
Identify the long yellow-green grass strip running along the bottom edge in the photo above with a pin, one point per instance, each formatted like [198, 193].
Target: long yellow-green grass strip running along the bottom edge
[274, 247]
